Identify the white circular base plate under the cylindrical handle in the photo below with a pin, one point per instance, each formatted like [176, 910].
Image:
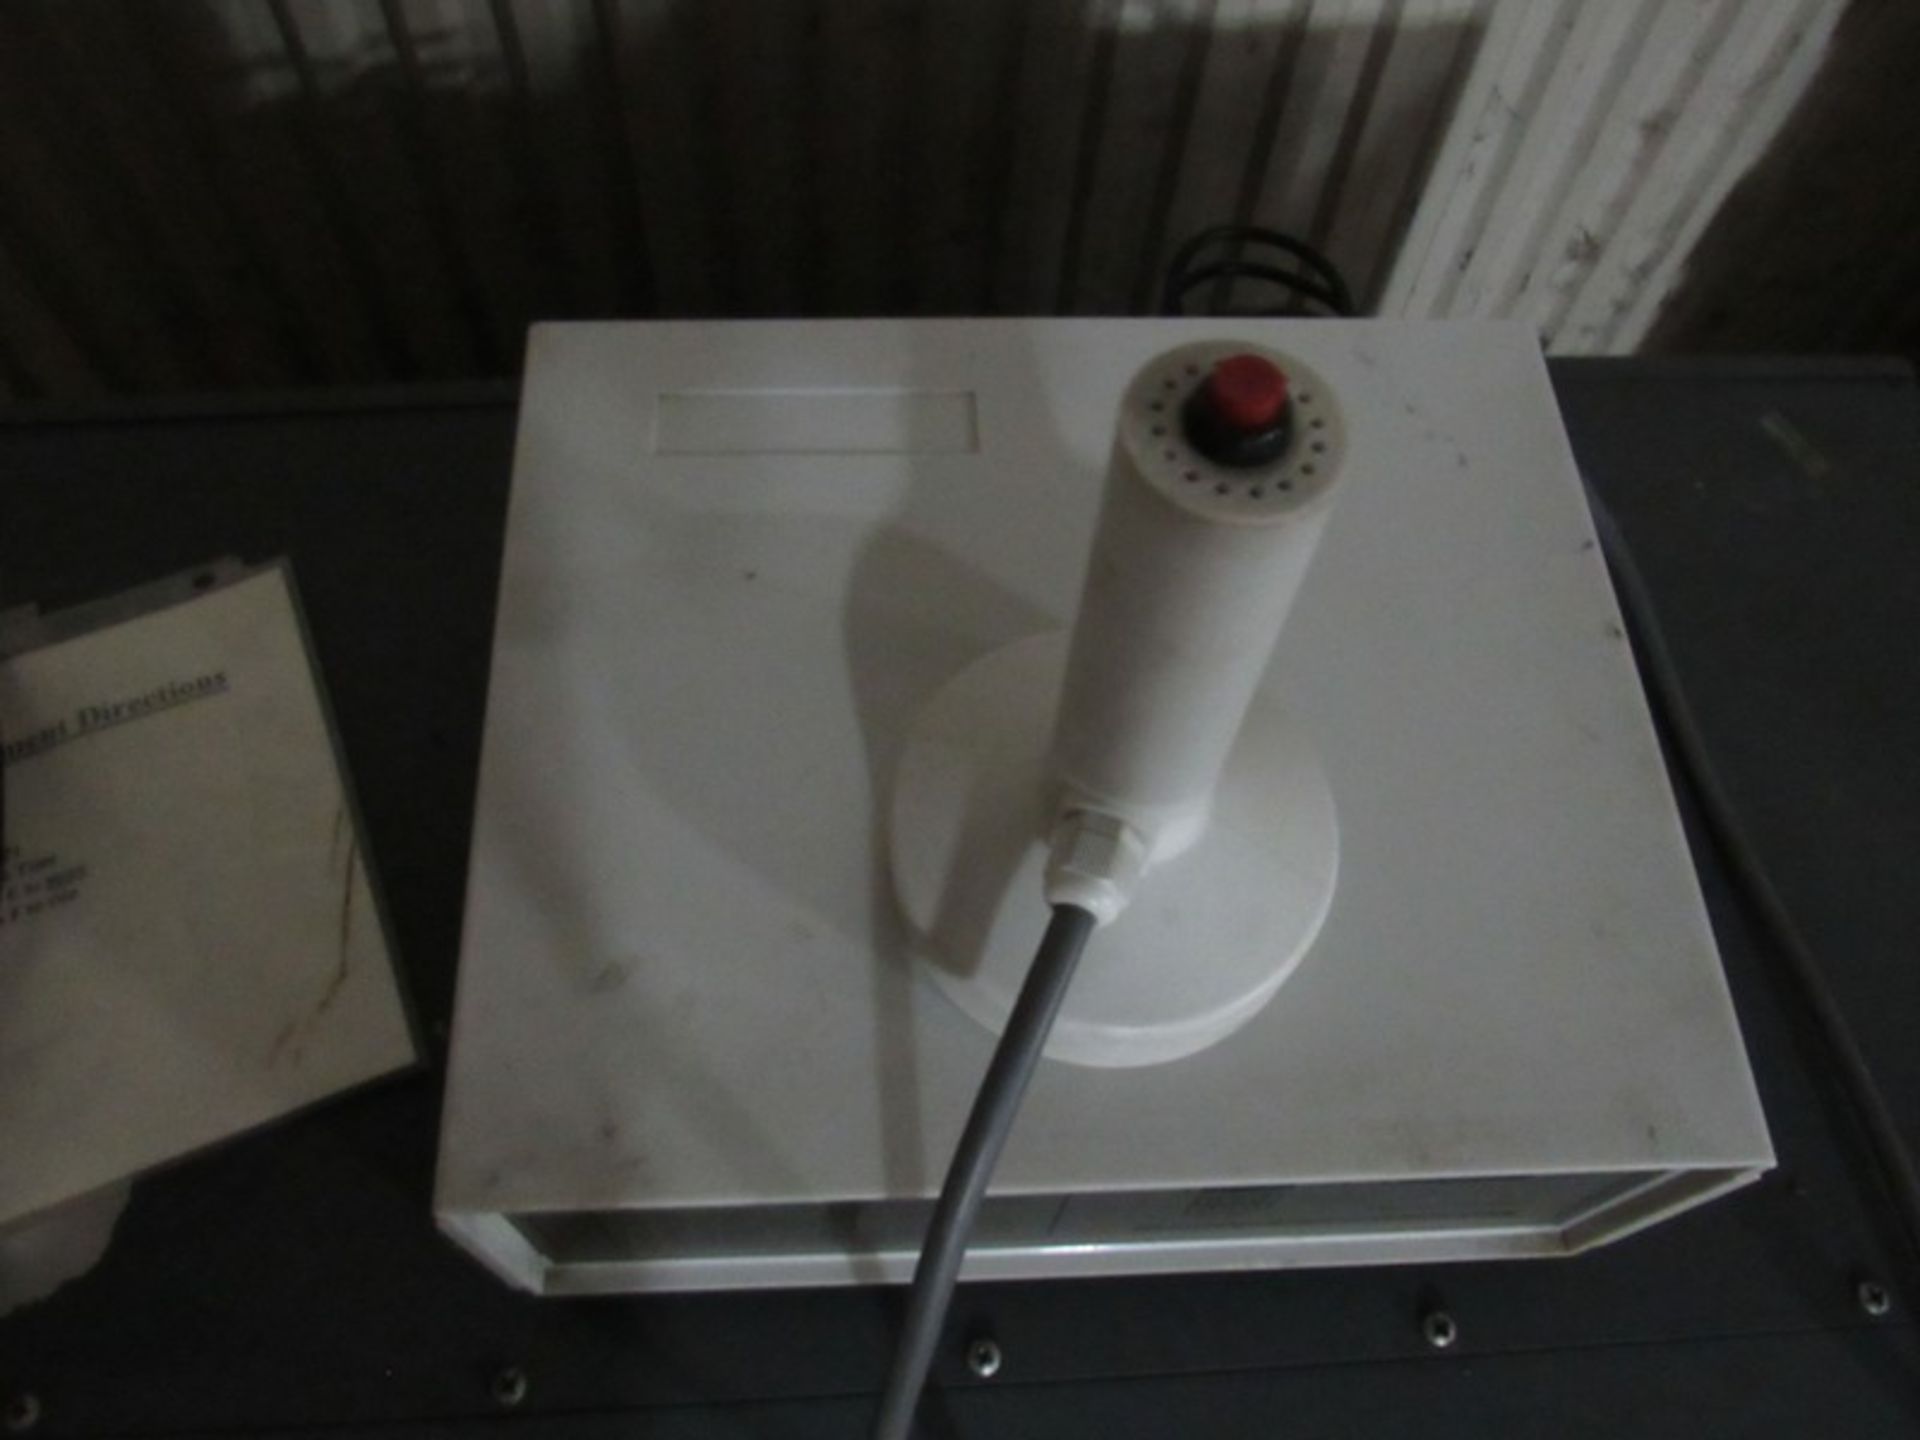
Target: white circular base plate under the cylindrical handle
[1211, 934]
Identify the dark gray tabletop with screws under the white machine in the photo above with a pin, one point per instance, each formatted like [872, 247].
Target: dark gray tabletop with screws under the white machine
[295, 1280]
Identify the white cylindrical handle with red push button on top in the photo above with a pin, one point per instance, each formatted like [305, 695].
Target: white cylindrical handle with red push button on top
[1199, 554]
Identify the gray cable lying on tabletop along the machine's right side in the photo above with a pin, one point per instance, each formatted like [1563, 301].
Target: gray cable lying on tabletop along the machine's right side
[1886, 1145]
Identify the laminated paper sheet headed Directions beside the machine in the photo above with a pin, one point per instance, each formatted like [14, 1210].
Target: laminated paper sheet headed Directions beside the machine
[189, 942]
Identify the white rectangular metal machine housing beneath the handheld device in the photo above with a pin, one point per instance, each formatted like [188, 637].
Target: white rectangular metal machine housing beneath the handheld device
[690, 1047]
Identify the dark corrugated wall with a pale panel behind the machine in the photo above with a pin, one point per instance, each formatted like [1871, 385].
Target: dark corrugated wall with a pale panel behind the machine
[216, 195]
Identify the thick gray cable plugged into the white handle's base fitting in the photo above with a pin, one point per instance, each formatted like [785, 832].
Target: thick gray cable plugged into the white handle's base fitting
[980, 1147]
